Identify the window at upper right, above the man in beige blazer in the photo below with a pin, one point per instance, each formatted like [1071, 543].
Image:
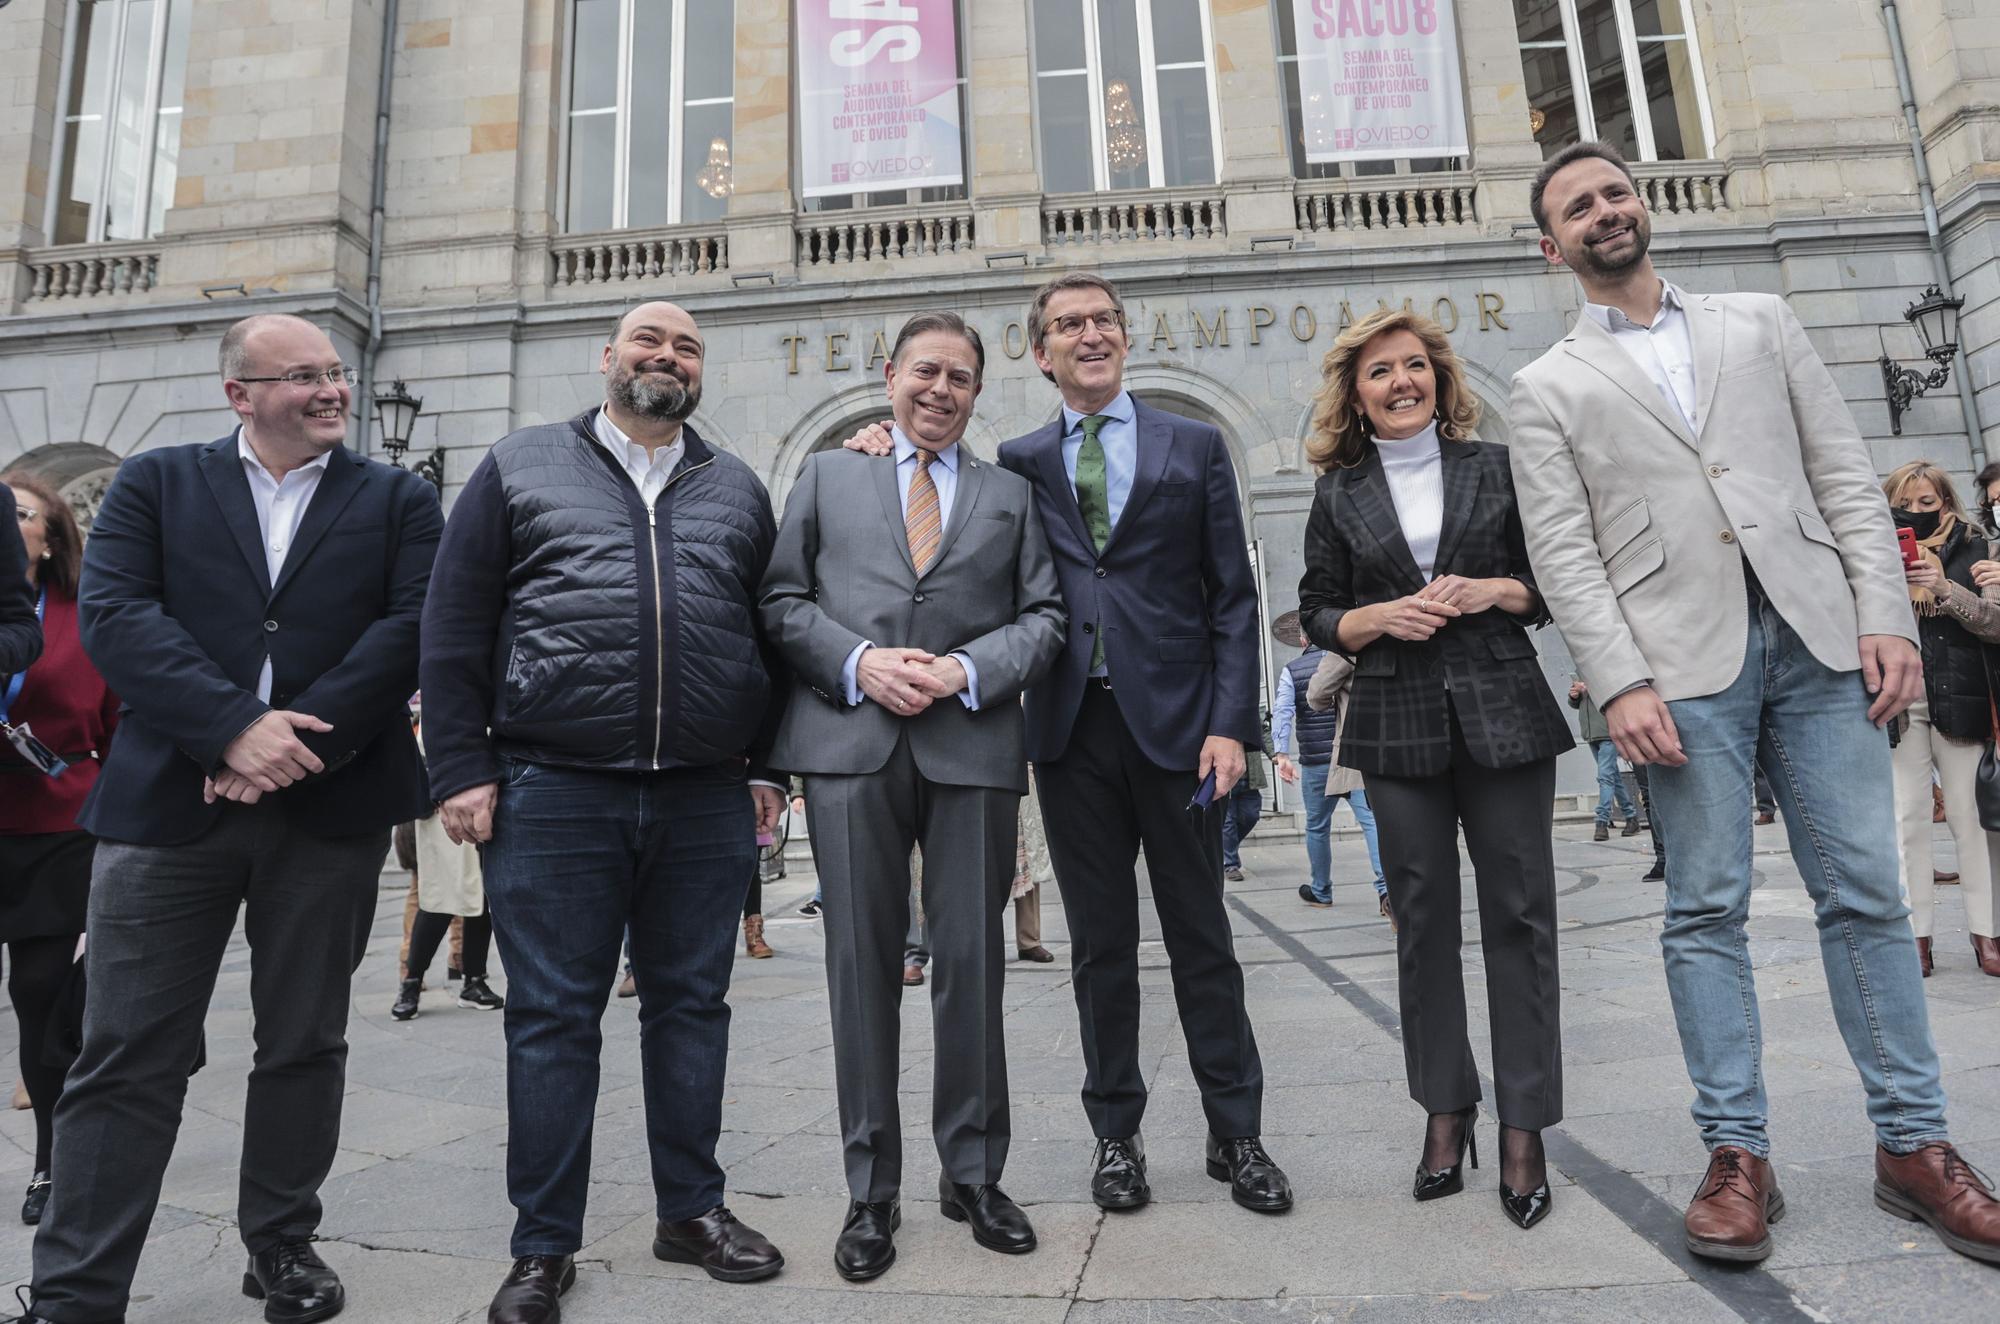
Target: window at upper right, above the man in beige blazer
[1623, 71]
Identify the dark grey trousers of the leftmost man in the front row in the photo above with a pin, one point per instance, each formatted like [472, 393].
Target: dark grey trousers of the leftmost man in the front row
[161, 919]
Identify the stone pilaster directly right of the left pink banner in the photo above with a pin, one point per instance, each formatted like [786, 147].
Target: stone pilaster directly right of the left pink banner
[1007, 195]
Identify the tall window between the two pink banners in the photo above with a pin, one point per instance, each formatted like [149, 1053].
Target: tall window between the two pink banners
[1125, 95]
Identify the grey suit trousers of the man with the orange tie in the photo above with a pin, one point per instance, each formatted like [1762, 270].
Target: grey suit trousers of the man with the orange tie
[863, 829]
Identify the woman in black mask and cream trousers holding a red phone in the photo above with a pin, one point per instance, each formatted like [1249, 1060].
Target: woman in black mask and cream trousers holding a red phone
[1945, 733]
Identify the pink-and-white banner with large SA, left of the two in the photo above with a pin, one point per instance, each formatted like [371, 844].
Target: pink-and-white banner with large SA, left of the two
[877, 97]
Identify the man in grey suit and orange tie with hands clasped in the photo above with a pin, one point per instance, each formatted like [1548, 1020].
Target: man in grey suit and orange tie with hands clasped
[917, 599]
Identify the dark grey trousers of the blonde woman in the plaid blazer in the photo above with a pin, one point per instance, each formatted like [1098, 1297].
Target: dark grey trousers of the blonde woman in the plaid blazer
[1509, 821]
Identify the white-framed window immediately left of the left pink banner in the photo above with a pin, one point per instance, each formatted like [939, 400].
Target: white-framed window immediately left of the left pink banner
[653, 99]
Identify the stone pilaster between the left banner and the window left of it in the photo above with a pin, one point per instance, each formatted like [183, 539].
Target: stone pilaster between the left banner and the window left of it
[761, 209]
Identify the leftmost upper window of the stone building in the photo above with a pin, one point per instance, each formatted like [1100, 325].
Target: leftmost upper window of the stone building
[119, 139]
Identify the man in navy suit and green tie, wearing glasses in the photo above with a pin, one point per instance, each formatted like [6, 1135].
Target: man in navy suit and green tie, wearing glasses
[1155, 693]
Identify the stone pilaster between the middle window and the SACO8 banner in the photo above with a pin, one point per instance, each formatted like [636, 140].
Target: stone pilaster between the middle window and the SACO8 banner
[1257, 171]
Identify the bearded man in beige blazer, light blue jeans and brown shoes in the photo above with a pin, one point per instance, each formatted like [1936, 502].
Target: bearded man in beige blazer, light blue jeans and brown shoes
[1707, 529]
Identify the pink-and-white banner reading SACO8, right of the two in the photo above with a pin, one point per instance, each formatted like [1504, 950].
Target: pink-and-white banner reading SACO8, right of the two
[1379, 79]
